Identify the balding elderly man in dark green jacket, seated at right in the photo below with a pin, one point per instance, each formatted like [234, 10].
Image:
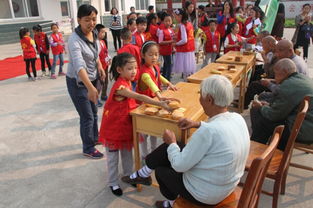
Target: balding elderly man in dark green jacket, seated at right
[283, 107]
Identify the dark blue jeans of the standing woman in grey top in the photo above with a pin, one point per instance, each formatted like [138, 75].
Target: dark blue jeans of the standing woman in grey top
[87, 111]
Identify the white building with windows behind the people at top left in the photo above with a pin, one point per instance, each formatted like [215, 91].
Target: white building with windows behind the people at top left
[15, 14]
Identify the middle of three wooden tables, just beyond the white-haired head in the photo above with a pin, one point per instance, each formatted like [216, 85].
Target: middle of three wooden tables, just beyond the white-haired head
[205, 72]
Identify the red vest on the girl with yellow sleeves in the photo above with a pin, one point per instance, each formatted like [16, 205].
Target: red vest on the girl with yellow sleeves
[154, 76]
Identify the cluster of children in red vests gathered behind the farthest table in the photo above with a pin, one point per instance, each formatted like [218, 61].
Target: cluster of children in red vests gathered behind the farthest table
[232, 30]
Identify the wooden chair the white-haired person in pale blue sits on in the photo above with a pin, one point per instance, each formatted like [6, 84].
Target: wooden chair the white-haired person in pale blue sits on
[248, 196]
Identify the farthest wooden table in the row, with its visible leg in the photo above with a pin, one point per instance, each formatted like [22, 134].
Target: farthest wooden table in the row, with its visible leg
[249, 62]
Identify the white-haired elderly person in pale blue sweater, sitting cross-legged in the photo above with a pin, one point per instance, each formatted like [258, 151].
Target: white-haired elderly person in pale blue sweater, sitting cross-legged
[209, 167]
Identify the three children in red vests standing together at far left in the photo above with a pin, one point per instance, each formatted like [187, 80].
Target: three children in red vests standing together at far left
[41, 45]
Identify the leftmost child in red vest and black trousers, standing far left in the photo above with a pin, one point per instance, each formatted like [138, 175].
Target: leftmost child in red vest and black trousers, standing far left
[29, 52]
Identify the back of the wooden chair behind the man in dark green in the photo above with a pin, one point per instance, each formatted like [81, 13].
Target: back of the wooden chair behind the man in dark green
[303, 108]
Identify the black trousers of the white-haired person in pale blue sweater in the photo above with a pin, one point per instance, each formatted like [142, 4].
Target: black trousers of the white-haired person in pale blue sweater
[170, 182]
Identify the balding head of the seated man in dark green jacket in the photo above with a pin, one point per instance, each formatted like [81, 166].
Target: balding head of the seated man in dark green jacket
[283, 68]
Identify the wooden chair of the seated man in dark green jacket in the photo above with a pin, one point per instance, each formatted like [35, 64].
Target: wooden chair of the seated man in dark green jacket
[279, 165]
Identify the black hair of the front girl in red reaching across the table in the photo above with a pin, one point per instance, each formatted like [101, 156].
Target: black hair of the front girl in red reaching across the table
[119, 60]
